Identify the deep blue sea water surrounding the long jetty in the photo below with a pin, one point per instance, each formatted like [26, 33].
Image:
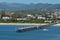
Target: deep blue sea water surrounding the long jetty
[8, 32]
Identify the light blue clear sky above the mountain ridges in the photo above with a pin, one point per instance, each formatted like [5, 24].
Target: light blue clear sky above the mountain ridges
[32, 1]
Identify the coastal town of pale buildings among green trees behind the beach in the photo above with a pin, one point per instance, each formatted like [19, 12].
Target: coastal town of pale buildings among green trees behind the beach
[27, 17]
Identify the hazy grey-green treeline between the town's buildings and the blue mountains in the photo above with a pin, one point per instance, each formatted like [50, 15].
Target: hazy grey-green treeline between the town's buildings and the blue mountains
[25, 12]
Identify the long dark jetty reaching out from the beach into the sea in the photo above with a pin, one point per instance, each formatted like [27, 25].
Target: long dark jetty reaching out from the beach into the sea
[30, 28]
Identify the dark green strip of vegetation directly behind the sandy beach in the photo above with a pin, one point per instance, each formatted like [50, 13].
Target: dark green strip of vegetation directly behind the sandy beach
[22, 21]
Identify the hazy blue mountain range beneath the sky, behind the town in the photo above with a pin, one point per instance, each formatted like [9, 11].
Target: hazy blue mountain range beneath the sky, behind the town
[32, 6]
